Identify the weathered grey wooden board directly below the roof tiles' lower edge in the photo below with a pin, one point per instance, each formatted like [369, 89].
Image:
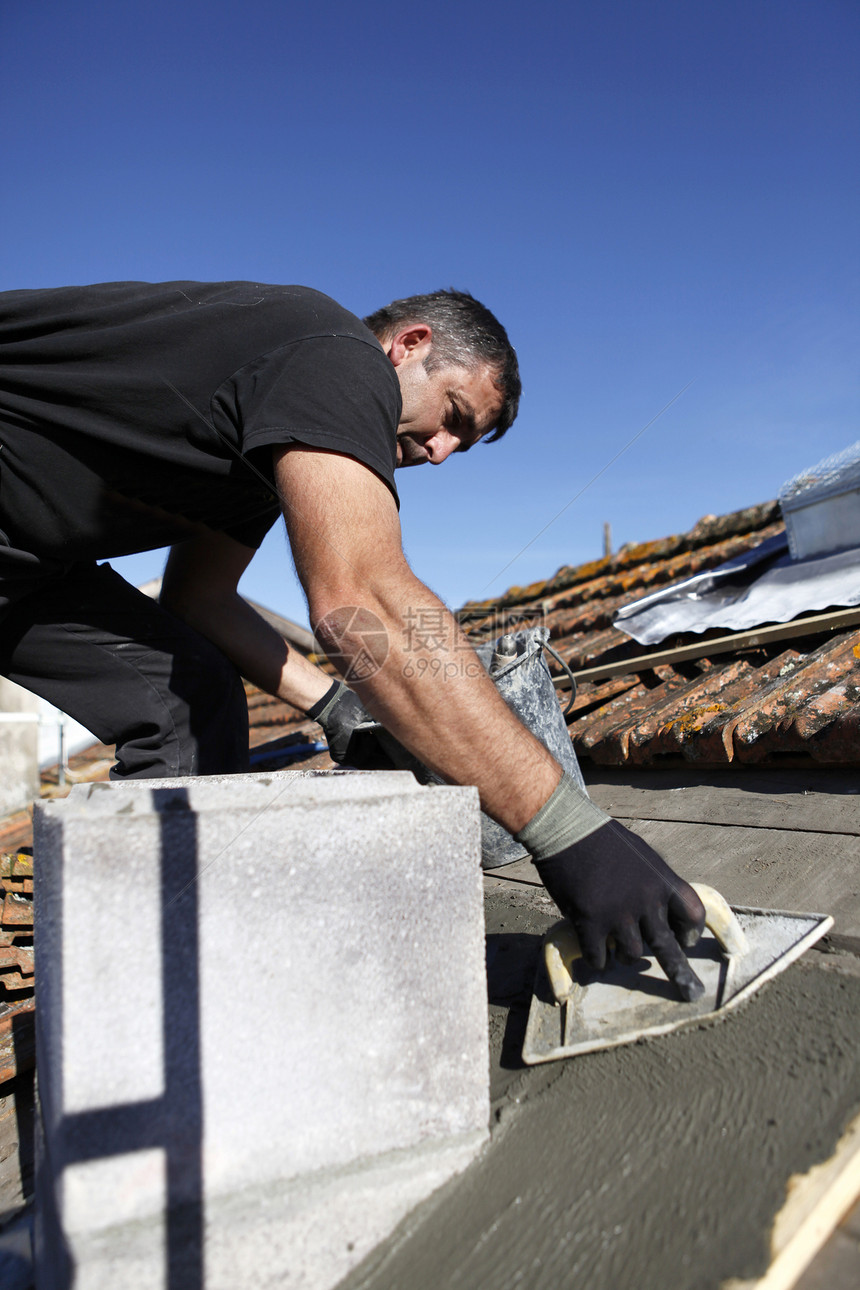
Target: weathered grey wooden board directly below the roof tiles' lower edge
[736, 804]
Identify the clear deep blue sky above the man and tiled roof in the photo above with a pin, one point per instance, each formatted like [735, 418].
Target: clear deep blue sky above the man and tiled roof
[647, 193]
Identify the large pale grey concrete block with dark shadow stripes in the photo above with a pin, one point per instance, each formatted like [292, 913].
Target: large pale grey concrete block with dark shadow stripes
[262, 1030]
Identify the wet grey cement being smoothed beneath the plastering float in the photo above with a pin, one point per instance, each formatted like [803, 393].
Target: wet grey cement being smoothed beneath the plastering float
[658, 1164]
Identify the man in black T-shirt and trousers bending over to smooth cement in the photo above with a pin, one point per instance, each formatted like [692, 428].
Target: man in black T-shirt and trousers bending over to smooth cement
[137, 416]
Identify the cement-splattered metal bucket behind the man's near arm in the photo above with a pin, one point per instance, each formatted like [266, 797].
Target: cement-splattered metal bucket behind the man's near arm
[518, 666]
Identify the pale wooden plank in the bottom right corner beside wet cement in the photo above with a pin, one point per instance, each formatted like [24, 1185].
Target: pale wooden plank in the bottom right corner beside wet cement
[816, 1206]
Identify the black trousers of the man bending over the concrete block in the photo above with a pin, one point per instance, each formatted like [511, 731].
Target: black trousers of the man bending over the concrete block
[131, 673]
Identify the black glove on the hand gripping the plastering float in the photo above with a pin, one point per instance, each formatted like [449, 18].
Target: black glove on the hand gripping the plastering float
[613, 886]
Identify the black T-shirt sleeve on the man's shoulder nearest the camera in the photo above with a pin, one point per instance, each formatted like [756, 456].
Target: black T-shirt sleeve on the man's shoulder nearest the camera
[337, 393]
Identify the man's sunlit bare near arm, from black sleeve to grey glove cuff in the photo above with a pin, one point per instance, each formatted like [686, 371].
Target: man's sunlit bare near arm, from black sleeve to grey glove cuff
[439, 702]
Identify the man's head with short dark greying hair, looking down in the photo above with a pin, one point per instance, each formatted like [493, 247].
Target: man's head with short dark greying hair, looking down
[458, 373]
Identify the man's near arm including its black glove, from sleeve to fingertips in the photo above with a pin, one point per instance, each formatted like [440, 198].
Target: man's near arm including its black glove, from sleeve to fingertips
[346, 542]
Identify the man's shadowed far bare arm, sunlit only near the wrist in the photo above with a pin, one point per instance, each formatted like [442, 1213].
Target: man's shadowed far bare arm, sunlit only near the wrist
[200, 586]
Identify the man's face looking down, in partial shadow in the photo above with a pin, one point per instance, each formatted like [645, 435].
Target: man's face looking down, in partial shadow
[444, 412]
